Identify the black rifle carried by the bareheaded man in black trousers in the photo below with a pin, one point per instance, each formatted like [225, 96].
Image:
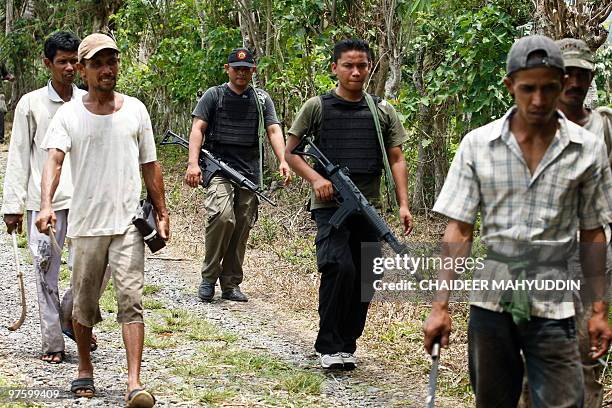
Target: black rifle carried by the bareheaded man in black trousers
[350, 199]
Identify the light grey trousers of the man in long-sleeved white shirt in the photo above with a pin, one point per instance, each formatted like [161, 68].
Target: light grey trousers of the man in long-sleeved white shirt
[47, 263]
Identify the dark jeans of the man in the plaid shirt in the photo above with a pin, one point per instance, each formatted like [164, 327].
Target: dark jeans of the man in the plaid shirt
[551, 353]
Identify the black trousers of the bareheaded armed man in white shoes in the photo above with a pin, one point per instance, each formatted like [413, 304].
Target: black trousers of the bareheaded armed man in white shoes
[346, 289]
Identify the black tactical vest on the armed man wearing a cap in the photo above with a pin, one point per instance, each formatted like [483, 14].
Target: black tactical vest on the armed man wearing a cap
[236, 119]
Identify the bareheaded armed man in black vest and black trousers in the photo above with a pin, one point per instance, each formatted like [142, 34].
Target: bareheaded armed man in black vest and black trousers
[345, 129]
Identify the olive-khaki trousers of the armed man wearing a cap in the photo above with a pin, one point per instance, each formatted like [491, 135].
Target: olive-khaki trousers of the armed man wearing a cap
[231, 212]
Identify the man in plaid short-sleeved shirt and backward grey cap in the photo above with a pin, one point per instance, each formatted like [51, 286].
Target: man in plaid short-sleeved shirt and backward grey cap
[537, 178]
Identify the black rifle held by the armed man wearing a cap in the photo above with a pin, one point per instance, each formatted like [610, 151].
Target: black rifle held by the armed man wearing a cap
[212, 166]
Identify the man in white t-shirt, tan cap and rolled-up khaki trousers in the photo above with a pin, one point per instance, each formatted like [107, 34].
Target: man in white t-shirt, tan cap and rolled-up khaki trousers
[110, 139]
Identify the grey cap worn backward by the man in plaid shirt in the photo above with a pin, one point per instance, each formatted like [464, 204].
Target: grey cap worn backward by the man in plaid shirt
[534, 51]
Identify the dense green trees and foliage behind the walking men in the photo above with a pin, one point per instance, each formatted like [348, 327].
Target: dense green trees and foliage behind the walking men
[439, 62]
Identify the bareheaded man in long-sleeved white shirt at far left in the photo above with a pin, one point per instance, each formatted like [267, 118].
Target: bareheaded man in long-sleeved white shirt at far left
[22, 184]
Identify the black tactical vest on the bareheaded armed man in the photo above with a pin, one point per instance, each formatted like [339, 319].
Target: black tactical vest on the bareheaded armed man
[347, 135]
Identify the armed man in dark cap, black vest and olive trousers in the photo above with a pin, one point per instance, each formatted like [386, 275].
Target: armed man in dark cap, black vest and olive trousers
[230, 120]
